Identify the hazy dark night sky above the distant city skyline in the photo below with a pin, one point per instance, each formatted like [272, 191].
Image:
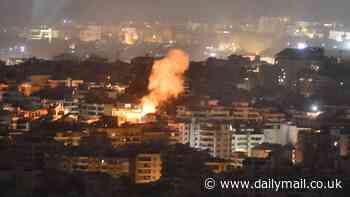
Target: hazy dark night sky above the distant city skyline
[25, 11]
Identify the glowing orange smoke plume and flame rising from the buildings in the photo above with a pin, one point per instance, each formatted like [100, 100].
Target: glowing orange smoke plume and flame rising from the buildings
[166, 80]
